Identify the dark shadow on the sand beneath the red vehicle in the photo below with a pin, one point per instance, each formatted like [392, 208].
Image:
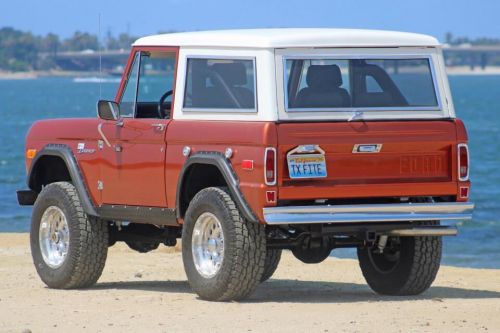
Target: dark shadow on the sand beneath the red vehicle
[278, 290]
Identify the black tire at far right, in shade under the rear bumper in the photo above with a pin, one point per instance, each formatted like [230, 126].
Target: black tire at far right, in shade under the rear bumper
[416, 269]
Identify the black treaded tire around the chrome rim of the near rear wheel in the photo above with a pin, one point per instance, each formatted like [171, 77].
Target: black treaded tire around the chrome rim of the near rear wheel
[244, 249]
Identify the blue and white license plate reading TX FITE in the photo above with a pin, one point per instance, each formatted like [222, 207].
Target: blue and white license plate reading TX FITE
[307, 166]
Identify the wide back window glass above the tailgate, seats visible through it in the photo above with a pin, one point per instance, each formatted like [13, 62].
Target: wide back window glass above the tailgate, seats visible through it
[324, 84]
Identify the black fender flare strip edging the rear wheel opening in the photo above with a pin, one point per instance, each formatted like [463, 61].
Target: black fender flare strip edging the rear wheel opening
[224, 166]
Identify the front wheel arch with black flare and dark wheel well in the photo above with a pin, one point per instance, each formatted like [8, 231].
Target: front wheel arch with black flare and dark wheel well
[63, 167]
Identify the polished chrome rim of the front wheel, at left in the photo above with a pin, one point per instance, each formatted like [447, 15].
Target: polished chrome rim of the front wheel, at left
[54, 237]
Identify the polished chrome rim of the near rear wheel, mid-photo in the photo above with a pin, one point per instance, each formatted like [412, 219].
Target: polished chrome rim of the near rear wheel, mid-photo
[207, 245]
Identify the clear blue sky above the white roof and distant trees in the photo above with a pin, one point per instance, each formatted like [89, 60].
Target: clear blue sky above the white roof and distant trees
[435, 17]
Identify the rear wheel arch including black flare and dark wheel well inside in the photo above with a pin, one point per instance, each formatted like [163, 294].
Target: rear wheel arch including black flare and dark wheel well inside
[217, 171]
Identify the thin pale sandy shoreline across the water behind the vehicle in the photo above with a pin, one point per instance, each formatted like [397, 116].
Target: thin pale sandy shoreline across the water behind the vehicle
[30, 75]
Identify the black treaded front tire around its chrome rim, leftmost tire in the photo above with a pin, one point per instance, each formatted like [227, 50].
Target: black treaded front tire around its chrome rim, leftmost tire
[88, 240]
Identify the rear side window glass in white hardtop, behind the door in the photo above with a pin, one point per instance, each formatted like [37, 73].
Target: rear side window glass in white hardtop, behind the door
[223, 84]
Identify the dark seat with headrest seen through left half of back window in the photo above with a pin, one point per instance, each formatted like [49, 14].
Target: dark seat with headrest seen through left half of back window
[323, 89]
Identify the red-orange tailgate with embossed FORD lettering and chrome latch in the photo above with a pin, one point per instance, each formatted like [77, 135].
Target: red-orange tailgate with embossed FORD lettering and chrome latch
[368, 155]
